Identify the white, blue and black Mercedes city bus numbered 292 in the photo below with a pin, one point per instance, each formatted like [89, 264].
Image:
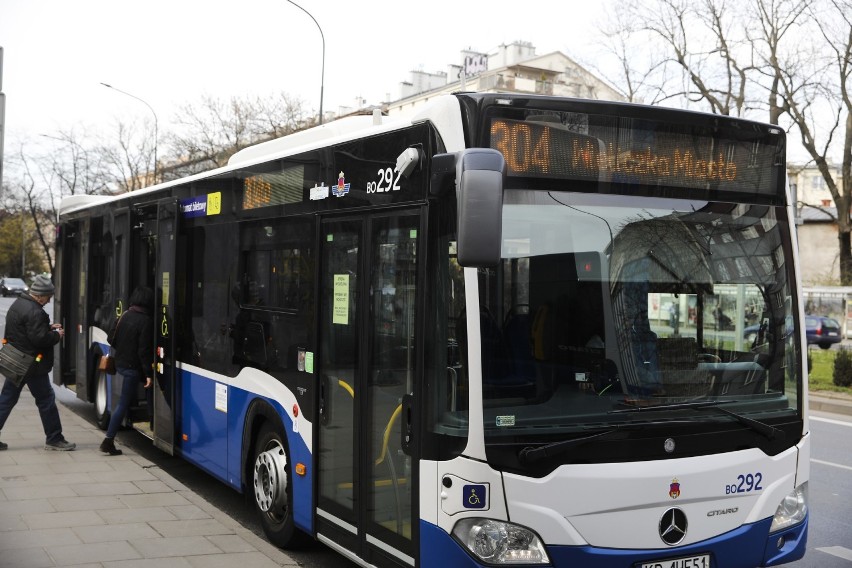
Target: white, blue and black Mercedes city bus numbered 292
[500, 330]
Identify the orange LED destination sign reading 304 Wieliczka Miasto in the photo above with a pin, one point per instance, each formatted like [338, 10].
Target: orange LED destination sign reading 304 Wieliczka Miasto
[634, 155]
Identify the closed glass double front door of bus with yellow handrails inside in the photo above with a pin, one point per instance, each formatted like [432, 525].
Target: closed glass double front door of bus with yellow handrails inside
[367, 371]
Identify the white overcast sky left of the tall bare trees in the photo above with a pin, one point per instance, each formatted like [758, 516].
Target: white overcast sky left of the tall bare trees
[57, 52]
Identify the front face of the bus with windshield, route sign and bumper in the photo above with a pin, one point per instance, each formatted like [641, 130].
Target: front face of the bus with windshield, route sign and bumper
[618, 413]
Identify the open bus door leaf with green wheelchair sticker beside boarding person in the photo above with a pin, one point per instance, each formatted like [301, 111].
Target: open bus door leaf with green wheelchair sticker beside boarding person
[164, 311]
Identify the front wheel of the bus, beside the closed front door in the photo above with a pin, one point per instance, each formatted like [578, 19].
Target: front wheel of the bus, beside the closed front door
[271, 472]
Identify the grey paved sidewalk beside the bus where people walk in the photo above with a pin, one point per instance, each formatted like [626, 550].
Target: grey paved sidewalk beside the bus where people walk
[90, 510]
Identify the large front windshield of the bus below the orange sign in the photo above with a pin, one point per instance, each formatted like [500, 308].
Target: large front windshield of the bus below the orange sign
[612, 311]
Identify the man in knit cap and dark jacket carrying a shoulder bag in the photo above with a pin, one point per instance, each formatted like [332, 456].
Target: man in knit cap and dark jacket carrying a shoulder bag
[28, 328]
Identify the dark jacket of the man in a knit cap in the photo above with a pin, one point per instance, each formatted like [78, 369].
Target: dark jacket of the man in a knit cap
[28, 329]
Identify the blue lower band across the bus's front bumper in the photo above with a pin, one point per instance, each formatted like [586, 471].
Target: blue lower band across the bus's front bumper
[749, 545]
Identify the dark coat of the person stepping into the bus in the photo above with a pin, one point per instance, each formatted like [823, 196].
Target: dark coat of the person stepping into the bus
[132, 341]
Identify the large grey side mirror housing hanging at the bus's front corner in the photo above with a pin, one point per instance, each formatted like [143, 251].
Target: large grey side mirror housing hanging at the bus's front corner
[480, 176]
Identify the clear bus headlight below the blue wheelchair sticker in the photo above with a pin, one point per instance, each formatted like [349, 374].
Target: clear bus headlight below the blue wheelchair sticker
[498, 542]
